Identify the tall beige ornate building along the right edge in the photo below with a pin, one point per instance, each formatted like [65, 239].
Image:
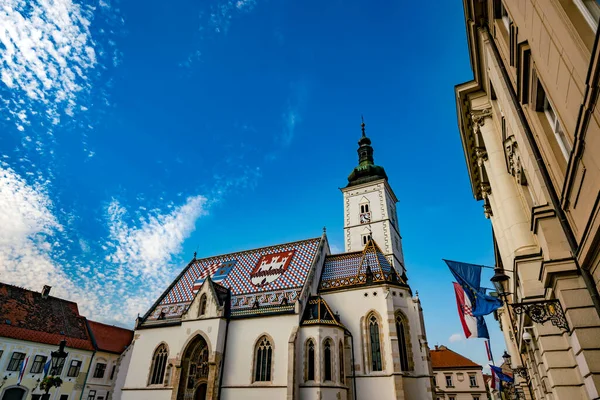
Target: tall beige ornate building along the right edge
[530, 130]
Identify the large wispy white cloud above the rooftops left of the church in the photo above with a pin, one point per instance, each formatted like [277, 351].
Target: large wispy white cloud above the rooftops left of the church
[139, 264]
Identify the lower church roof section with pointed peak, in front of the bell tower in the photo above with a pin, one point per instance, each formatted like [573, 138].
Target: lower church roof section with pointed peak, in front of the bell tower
[356, 268]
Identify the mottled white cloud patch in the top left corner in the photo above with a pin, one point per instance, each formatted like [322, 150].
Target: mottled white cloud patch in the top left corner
[46, 55]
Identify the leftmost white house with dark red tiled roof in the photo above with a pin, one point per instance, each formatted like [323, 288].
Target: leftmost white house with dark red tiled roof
[32, 325]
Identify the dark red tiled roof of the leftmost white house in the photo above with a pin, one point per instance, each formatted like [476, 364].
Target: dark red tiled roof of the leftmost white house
[25, 315]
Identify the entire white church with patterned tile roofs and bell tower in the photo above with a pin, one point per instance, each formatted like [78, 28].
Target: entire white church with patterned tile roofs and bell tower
[293, 321]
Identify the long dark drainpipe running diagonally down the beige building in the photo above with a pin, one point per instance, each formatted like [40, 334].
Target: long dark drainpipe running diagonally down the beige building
[585, 274]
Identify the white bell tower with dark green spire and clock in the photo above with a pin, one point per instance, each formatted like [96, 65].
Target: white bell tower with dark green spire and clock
[370, 207]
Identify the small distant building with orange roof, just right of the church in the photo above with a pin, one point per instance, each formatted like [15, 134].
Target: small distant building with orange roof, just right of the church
[456, 377]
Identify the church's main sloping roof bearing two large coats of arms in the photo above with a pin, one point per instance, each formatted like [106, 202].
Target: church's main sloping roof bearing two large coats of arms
[259, 279]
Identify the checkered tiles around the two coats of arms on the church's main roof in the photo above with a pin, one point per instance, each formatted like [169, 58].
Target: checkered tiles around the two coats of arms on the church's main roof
[238, 280]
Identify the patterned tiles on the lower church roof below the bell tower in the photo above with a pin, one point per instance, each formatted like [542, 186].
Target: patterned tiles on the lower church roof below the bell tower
[342, 266]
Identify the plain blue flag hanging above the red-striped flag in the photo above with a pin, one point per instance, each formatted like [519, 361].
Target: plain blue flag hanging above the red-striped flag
[469, 277]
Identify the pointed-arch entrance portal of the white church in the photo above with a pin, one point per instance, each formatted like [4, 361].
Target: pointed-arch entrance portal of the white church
[194, 371]
